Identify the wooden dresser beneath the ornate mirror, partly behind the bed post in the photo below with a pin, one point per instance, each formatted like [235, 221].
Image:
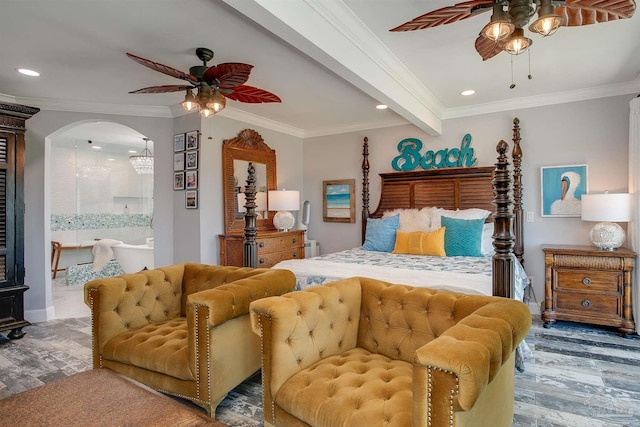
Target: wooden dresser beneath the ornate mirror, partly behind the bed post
[273, 247]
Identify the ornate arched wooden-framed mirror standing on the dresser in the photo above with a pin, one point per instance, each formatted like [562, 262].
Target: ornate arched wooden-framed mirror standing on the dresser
[237, 153]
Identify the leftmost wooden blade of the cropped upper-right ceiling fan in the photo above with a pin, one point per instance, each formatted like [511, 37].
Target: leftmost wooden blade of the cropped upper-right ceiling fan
[447, 15]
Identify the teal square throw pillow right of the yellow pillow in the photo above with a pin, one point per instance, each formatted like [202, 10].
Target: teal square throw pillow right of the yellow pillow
[462, 237]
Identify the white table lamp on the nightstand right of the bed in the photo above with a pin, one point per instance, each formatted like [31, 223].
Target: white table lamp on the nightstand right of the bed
[607, 208]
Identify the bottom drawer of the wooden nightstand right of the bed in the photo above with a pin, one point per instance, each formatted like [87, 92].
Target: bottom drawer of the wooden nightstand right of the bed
[589, 304]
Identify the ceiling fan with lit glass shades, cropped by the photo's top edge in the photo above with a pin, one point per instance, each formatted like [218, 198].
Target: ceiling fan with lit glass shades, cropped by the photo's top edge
[504, 32]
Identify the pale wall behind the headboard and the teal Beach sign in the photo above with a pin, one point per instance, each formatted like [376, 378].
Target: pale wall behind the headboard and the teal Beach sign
[592, 132]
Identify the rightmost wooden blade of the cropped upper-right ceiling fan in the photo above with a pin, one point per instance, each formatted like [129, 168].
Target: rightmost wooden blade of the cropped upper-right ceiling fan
[587, 12]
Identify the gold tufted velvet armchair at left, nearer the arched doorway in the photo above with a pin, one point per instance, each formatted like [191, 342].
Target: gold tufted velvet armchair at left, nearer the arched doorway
[182, 329]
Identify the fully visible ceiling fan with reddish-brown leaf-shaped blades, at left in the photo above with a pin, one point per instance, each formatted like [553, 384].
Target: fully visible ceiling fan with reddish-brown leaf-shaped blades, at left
[213, 84]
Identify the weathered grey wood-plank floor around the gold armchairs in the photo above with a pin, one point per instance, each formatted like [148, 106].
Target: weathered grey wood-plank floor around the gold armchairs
[578, 376]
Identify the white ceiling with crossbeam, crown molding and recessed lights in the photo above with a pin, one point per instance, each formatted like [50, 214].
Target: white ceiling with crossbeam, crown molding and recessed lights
[330, 61]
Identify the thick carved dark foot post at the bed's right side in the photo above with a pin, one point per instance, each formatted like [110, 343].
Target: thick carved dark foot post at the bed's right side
[503, 239]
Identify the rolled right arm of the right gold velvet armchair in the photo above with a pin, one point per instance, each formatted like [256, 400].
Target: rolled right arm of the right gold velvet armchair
[476, 348]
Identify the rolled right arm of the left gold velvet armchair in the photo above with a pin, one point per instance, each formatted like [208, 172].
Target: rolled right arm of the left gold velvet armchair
[231, 300]
